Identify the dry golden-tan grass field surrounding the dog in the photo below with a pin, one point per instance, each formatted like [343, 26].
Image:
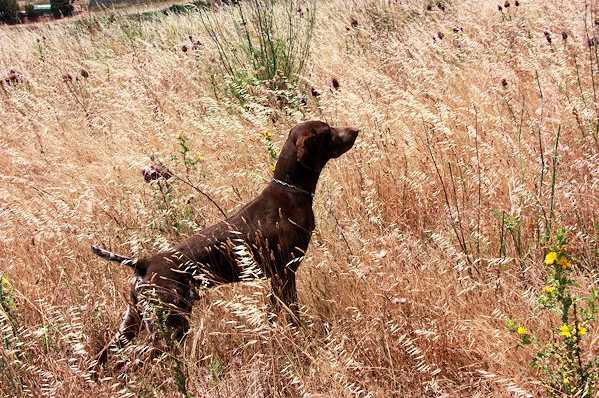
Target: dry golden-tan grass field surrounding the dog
[479, 139]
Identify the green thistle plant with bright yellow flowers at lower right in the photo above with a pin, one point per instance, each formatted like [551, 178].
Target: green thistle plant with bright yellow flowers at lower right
[564, 361]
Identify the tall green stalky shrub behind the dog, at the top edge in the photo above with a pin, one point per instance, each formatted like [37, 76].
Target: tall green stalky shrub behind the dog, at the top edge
[270, 44]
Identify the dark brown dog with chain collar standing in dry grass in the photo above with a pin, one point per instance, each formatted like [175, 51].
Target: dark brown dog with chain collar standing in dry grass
[266, 238]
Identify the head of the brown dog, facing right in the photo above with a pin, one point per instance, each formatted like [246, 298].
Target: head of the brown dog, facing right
[316, 142]
